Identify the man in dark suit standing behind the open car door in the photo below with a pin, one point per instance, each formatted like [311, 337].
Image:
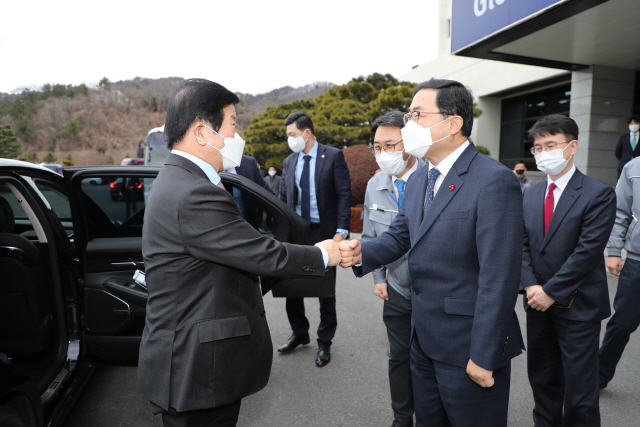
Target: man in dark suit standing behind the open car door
[316, 183]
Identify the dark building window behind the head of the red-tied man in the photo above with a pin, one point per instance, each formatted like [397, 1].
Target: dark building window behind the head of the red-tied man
[518, 116]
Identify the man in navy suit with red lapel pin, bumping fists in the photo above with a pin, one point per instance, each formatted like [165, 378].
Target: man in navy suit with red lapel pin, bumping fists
[461, 224]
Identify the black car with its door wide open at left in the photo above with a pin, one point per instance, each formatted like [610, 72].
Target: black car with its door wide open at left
[67, 298]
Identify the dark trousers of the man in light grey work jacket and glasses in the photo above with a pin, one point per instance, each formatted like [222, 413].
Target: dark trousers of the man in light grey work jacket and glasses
[396, 314]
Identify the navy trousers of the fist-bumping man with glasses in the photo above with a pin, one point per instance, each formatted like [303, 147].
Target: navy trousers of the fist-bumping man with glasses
[444, 395]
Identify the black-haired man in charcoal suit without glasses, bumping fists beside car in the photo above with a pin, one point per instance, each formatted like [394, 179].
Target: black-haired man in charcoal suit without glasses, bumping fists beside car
[206, 341]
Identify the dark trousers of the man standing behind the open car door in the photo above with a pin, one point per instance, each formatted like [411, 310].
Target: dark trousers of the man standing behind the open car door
[328, 319]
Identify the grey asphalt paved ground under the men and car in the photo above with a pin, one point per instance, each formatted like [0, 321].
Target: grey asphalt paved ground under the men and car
[352, 390]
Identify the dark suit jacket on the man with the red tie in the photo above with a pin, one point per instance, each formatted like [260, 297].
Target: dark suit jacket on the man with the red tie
[569, 260]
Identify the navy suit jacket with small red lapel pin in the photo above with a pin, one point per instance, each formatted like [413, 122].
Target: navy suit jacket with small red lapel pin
[464, 261]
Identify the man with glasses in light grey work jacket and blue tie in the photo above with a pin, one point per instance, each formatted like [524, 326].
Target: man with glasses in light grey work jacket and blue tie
[382, 200]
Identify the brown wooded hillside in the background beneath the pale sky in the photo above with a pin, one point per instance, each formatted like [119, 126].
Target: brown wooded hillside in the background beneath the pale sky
[92, 126]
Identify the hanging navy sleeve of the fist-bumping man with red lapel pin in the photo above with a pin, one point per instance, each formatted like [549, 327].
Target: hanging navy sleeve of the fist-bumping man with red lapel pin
[499, 246]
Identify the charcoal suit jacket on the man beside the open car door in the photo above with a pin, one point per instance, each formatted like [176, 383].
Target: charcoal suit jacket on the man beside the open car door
[206, 340]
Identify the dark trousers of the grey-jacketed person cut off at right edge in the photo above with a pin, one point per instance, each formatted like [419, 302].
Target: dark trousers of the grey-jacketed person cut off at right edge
[624, 322]
